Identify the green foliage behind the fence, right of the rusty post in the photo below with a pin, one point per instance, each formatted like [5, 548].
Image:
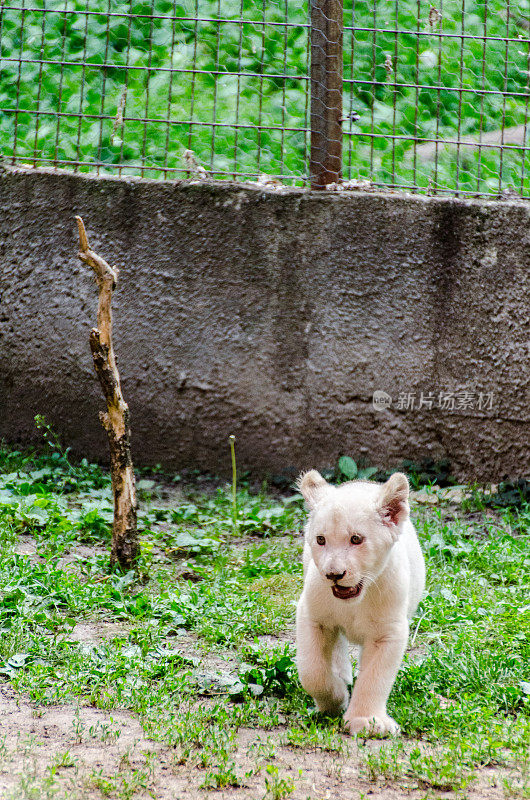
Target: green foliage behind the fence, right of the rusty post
[388, 66]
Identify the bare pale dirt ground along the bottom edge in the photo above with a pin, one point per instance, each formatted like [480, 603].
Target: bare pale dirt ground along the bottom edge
[85, 753]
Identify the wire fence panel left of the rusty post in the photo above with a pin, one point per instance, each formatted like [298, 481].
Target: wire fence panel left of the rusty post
[127, 86]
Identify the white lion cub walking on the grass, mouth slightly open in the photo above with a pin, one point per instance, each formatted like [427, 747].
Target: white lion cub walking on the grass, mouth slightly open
[364, 576]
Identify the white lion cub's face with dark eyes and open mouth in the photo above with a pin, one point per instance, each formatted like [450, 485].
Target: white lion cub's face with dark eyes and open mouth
[351, 528]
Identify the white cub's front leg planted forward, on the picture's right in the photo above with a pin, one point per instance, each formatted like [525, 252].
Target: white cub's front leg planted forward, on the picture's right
[380, 660]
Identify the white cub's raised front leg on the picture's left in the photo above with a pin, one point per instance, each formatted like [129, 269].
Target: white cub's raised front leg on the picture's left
[315, 645]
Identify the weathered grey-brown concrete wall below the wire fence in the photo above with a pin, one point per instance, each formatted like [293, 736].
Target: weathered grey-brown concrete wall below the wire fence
[272, 316]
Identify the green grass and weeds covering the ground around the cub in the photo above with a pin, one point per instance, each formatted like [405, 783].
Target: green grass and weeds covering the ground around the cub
[204, 647]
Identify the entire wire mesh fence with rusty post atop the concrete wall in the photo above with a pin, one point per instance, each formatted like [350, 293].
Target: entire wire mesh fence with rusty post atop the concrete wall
[397, 93]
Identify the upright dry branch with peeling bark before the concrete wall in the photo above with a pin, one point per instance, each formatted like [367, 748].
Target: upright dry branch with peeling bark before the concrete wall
[116, 419]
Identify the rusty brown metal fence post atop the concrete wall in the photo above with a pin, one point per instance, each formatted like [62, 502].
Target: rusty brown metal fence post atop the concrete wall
[326, 92]
